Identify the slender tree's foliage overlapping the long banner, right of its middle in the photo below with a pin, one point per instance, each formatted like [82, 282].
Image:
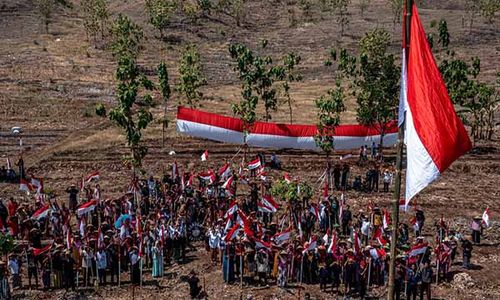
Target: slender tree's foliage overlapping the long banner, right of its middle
[330, 107]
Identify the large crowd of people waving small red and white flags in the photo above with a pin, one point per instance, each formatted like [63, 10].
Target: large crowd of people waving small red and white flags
[247, 230]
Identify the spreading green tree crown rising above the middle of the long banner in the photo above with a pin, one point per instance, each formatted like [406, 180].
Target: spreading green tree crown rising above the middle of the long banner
[258, 76]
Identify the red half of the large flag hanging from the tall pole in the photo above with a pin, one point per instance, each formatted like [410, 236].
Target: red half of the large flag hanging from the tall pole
[438, 126]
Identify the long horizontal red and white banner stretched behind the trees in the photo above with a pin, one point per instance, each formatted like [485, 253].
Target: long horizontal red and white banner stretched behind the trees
[273, 135]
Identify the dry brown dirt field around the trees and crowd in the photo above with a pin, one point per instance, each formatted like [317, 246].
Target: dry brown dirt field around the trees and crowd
[50, 83]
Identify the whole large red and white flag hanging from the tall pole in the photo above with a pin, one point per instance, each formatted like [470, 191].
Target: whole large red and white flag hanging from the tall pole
[435, 136]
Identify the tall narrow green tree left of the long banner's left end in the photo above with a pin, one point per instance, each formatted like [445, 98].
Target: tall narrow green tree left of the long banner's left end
[131, 113]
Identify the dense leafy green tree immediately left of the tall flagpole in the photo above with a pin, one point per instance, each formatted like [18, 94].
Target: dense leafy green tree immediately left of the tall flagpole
[376, 80]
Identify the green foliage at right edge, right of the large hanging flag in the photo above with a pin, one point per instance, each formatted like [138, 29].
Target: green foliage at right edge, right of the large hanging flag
[477, 100]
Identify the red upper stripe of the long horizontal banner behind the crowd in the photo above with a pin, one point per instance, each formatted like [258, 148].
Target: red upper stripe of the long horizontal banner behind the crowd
[235, 124]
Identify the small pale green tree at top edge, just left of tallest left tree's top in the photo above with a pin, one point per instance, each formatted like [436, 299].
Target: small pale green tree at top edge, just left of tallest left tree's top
[95, 17]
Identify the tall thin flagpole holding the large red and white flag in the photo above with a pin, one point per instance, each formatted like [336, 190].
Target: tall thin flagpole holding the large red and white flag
[399, 167]
